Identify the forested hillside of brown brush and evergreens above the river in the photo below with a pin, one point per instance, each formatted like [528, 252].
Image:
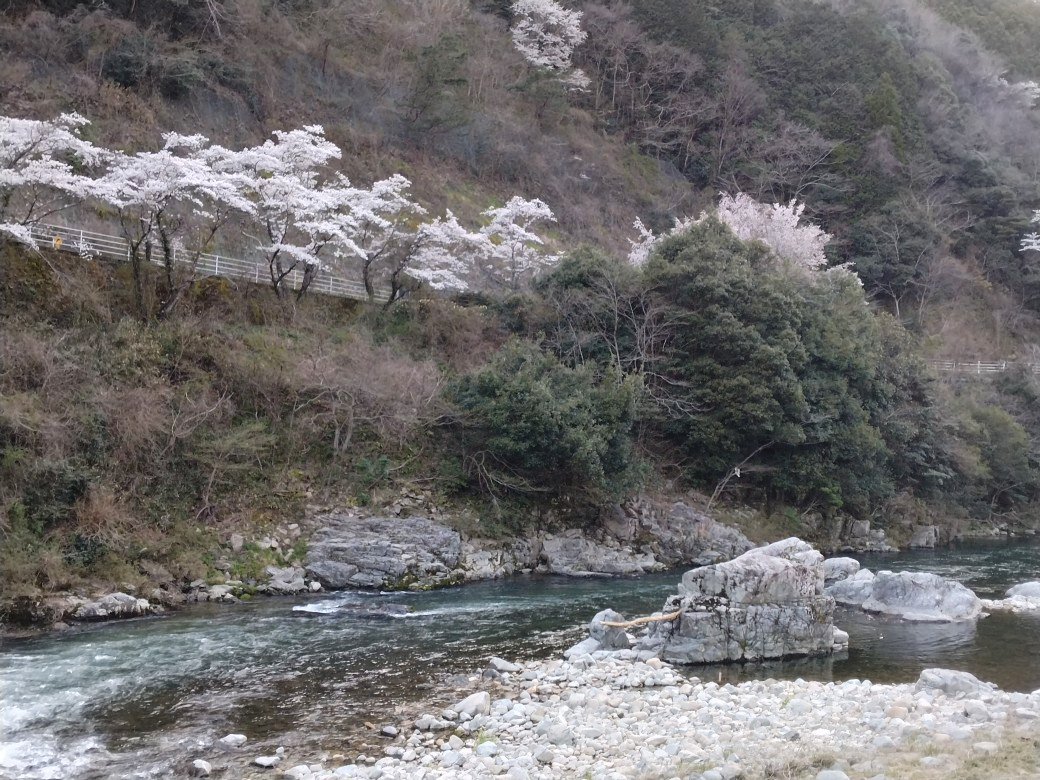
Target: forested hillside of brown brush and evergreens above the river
[137, 425]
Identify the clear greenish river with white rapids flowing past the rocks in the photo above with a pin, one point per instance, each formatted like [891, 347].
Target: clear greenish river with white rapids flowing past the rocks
[137, 698]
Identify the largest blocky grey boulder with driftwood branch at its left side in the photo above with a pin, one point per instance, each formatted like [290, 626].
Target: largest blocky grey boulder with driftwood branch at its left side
[767, 604]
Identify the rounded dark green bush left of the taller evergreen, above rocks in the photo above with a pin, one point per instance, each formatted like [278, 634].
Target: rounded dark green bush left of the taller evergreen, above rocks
[531, 425]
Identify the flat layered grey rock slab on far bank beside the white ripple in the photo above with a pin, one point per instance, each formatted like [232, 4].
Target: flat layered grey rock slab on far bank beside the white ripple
[383, 553]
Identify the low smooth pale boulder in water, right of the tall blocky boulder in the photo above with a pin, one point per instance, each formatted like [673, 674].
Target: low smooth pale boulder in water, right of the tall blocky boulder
[922, 597]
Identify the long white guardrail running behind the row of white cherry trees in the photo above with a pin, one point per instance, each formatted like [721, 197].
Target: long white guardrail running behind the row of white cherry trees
[91, 244]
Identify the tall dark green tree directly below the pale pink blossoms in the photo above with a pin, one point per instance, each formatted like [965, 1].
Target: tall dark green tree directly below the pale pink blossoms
[736, 357]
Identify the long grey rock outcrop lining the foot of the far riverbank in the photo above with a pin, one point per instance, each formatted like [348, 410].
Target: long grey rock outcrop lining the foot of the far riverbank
[419, 553]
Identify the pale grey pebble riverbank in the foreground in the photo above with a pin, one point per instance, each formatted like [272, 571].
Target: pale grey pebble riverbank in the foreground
[618, 719]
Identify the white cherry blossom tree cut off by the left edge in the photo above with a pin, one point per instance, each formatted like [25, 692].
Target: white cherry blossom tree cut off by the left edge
[44, 169]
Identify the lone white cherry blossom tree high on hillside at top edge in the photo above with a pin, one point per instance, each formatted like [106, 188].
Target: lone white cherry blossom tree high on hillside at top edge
[547, 35]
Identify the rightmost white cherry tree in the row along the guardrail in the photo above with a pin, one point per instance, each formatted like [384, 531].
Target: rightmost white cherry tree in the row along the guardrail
[517, 252]
